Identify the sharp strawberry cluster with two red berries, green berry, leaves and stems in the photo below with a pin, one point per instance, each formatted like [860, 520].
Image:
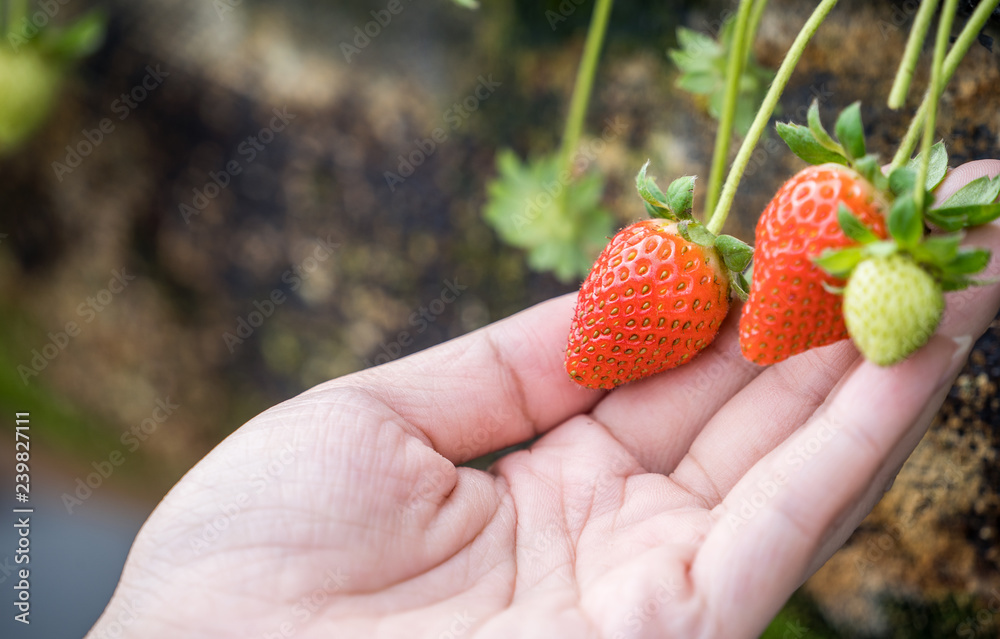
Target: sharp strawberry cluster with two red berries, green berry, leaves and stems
[843, 249]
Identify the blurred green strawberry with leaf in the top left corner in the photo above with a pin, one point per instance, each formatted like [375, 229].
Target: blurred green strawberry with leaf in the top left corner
[33, 62]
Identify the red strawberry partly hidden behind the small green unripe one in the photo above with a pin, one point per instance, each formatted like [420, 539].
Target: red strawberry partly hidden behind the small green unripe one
[789, 310]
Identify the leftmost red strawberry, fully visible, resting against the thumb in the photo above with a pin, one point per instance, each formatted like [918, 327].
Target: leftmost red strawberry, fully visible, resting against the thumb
[652, 301]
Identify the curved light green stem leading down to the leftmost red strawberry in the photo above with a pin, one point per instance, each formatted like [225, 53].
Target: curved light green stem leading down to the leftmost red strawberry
[764, 113]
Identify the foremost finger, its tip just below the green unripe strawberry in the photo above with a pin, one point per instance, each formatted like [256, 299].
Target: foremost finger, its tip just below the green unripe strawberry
[780, 514]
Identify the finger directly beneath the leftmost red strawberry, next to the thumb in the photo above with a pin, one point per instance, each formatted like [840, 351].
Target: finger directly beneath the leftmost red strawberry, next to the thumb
[656, 419]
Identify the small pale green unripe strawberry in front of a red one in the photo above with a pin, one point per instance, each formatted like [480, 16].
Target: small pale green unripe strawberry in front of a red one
[892, 306]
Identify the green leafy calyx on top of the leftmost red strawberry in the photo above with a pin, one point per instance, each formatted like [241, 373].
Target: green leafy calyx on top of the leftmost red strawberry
[676, 204]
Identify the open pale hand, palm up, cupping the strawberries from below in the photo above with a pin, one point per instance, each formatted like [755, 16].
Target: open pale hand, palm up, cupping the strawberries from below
[689, 504]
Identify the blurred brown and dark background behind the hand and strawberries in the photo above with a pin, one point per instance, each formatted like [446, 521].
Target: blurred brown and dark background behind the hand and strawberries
[208, 207]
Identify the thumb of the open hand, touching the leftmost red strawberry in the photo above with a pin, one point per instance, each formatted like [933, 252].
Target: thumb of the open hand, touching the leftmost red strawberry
[493, 388]
